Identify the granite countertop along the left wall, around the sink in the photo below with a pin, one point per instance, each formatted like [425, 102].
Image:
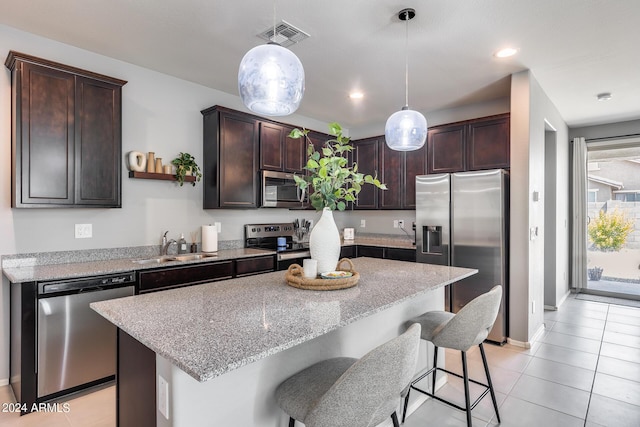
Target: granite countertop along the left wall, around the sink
[30, 273]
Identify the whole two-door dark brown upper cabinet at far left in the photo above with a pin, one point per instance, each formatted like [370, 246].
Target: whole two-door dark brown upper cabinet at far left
[66, 135]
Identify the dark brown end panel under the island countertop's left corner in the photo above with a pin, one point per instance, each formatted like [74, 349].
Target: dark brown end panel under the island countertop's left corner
[136, 383]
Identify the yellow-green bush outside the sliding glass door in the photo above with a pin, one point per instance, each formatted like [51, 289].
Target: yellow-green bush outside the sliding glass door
[609, 231]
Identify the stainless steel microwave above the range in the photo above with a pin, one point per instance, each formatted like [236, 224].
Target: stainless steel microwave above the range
[279, 190]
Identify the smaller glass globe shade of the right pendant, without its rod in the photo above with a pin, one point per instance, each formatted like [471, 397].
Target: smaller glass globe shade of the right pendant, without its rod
[406, 130]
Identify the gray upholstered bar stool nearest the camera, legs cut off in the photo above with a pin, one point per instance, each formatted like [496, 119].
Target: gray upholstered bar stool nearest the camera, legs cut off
[343, 391]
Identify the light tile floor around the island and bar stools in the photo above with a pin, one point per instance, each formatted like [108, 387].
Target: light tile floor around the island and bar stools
[584, 371]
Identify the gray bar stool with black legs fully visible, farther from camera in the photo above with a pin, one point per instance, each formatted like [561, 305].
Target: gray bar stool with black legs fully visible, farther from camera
[460, 331]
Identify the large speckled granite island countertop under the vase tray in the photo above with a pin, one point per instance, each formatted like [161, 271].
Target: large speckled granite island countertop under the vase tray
[211, 329]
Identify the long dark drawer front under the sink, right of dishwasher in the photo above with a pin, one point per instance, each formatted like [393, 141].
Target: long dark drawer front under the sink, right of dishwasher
[174, 277]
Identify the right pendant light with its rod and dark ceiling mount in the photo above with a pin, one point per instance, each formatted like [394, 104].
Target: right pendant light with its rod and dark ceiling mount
[406, 130]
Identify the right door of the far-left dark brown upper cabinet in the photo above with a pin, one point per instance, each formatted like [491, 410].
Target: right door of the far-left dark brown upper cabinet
[98, 143]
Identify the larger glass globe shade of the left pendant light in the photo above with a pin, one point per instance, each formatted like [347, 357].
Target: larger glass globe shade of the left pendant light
[271, 80]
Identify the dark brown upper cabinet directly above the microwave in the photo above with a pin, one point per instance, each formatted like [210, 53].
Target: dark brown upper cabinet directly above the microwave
[279, 152]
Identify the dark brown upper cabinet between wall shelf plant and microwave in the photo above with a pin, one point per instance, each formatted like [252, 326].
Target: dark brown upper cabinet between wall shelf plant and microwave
[230, 171]
